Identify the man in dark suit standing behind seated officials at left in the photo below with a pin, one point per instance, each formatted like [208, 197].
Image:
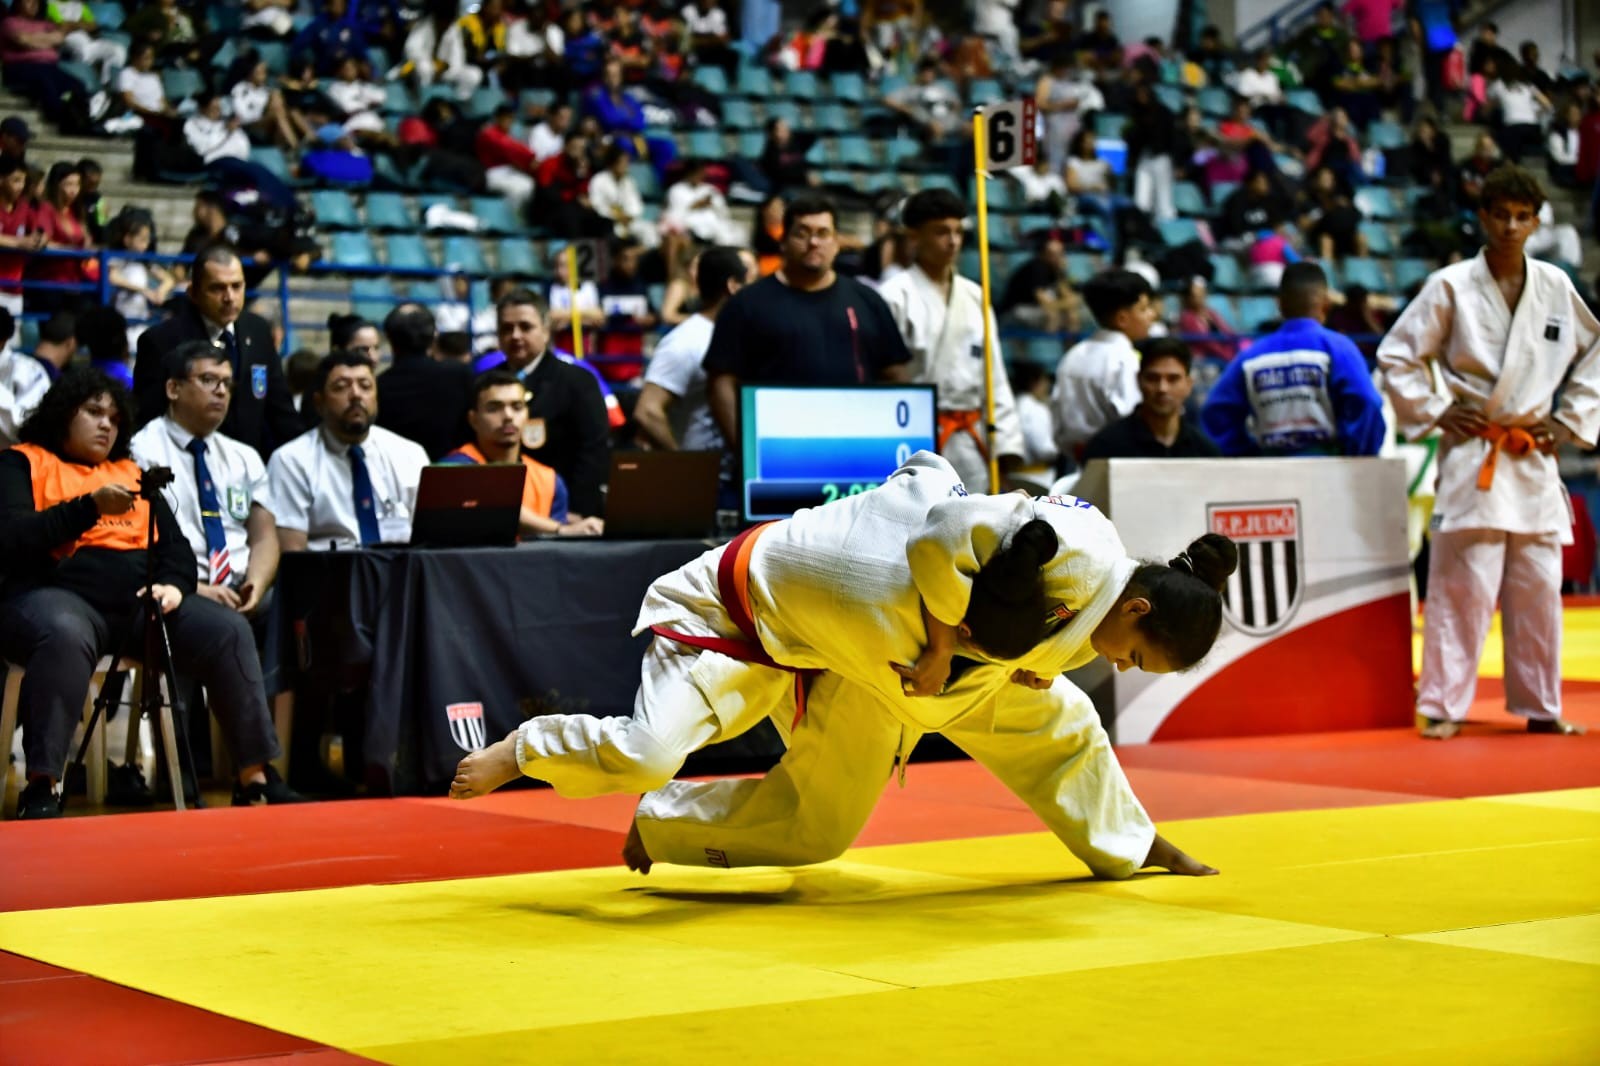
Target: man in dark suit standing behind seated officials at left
[262, 415]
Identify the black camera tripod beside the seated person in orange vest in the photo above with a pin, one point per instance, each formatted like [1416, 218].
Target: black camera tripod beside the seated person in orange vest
[158, 660]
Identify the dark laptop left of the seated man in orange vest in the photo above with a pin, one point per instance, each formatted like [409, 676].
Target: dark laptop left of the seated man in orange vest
[468, 507]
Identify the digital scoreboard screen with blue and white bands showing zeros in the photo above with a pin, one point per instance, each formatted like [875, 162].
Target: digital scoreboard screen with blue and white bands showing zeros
[806, 447]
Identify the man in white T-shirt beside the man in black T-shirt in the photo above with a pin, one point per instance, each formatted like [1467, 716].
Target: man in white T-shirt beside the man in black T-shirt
[673, 409]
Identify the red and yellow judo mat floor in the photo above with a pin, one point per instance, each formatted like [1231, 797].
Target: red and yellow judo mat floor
[1383, 900]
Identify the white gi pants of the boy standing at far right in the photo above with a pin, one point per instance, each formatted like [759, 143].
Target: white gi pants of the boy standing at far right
[1468, 572]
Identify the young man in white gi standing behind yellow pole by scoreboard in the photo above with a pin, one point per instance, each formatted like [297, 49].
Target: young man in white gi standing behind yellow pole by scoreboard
[942, 318]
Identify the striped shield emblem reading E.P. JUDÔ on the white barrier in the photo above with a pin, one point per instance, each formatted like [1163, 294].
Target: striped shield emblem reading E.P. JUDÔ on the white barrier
[1265, 593]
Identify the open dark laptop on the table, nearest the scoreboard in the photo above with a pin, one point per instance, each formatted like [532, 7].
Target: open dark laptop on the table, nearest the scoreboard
[655, 495]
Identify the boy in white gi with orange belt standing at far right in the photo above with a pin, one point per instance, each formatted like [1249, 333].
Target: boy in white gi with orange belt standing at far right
[1510, 335]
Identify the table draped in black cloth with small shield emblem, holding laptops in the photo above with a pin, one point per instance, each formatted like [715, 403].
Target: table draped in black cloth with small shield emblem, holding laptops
[457, 647]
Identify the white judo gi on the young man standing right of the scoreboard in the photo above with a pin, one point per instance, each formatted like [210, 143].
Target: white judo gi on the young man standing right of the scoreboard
[946, 343]
